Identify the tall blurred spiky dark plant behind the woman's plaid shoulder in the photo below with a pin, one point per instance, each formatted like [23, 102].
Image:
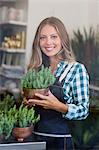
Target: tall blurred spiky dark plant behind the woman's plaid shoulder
[86, 47]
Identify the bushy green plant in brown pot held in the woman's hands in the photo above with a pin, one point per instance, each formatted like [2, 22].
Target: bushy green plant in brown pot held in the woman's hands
[37, 81]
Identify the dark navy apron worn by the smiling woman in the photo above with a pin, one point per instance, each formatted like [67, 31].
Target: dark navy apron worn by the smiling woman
[52, 121]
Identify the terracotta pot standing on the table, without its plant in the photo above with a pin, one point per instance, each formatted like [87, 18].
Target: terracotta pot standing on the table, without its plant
[21, 133]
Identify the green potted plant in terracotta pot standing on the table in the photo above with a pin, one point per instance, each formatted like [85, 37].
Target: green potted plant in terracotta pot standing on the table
[25, 120]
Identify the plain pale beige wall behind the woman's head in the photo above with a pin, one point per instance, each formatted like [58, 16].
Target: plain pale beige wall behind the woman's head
[74, 13]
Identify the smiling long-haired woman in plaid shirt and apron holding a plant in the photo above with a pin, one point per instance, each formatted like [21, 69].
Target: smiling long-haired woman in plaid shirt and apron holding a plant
[69, 98]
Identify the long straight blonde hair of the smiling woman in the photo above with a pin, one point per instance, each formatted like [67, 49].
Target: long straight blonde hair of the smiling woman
[68, 55]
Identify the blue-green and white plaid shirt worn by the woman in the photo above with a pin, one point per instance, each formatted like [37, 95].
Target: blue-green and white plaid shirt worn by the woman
[76, 90]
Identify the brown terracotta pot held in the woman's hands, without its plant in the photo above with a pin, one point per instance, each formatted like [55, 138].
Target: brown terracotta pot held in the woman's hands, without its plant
[30, 93]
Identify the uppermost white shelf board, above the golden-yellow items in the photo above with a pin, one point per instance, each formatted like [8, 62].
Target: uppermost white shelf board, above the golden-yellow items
[12, 22]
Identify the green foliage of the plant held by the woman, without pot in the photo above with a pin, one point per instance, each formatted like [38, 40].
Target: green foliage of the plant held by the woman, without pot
[34, 79]
